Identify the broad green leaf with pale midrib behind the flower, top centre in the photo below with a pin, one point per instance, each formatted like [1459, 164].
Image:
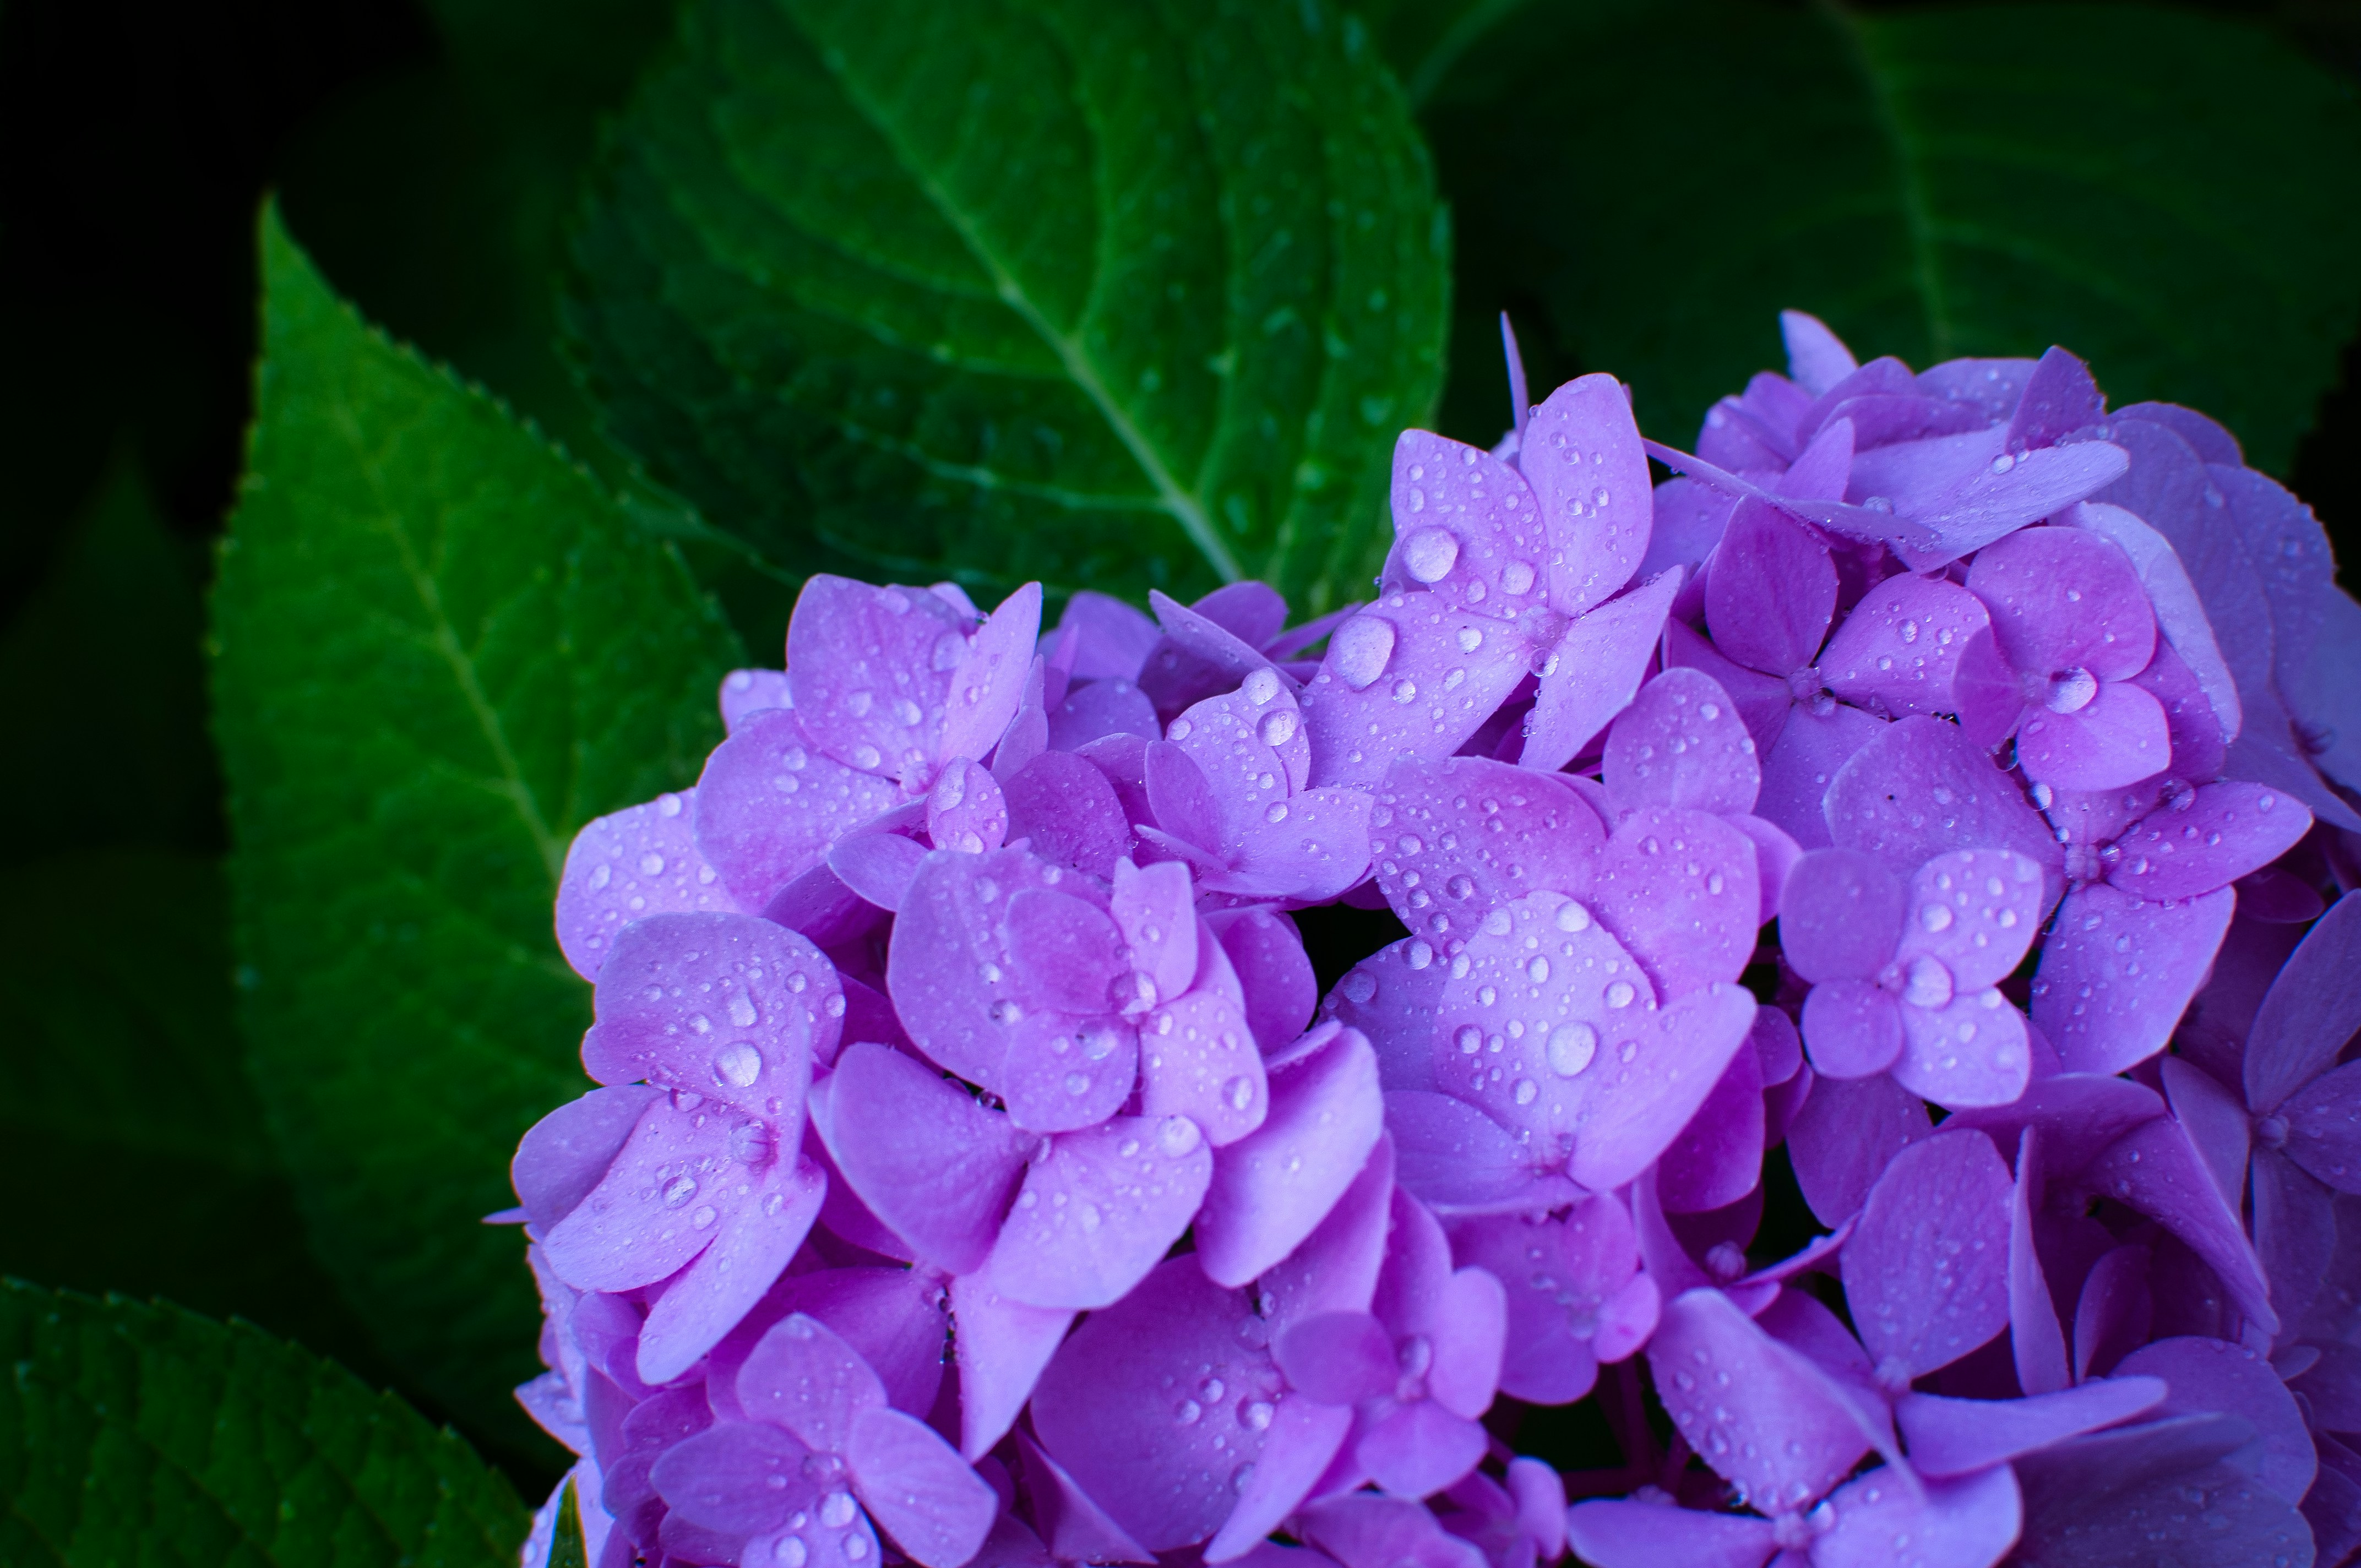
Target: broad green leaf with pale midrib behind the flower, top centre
[1094, 292]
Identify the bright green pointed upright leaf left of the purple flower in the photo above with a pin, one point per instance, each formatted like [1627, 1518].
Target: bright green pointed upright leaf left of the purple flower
[440, 648]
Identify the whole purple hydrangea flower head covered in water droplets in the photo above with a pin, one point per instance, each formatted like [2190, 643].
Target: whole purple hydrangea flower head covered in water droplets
[1925, 816]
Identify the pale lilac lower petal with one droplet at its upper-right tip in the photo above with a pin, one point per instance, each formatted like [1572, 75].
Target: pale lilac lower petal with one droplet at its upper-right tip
[1099, 1210]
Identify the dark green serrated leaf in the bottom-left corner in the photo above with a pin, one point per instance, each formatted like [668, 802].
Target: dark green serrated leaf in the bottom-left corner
[148, 1435]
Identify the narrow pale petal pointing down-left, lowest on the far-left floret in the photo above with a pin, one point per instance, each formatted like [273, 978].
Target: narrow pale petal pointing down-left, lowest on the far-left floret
[757, 1236]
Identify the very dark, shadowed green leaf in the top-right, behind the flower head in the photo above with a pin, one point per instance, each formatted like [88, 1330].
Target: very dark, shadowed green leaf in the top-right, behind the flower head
[2176, 197]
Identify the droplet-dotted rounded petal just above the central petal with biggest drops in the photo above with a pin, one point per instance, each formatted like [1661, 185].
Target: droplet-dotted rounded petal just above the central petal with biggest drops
[1418, 811]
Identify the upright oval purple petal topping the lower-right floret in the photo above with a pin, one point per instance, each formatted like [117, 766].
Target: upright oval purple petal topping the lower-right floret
[1928, 1267]
